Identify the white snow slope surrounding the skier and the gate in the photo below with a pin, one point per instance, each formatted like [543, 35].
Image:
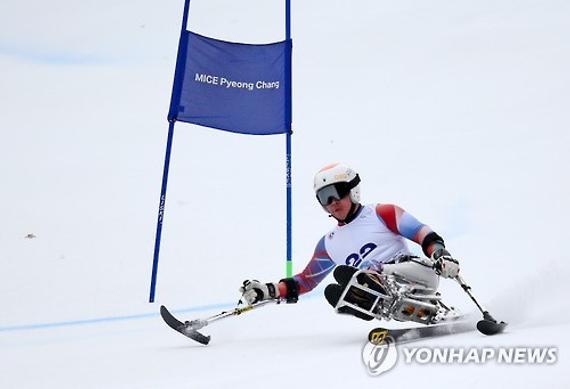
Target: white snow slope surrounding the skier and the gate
[457, 111]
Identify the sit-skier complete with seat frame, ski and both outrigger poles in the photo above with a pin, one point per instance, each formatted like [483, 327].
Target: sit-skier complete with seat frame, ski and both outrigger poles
[376, 275]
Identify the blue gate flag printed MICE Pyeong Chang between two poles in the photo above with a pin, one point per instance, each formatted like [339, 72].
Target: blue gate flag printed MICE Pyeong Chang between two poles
[236, 87]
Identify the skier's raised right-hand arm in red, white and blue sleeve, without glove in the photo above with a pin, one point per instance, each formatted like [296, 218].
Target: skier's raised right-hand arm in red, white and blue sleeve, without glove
[405, 224]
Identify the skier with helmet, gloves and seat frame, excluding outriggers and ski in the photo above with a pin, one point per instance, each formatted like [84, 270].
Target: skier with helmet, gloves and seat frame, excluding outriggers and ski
[367, 248]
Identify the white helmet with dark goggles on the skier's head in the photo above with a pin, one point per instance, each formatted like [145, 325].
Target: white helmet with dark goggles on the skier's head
[336, 181]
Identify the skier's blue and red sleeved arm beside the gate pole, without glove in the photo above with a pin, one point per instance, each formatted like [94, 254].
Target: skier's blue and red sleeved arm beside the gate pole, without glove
[316, 270]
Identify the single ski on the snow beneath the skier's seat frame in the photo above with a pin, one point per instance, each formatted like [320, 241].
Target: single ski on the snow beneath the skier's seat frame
[407, 335]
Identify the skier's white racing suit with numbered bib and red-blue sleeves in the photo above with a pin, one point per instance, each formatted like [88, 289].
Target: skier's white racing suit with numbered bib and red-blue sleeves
[374, 239]
